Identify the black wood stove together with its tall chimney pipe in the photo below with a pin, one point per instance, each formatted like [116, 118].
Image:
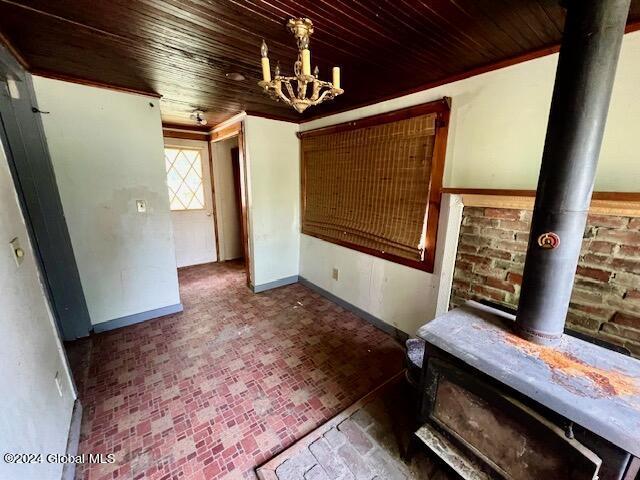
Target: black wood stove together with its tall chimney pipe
[512, 397]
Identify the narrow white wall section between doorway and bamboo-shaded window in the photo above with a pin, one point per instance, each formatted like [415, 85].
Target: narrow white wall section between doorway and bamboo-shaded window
[273, 174]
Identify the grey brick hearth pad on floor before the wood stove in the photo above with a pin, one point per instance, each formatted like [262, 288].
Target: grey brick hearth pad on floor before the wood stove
[363, 443]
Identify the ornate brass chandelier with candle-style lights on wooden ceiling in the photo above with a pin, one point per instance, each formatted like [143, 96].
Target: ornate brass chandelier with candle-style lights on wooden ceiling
[309, 89]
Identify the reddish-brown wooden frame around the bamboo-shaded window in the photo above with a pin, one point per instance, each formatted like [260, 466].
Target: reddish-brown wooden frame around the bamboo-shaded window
[442, 109]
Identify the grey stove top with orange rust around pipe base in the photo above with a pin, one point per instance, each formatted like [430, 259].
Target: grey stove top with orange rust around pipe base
[592, 386]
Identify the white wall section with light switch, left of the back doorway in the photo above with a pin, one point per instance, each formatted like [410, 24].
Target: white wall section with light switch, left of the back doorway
[107, 151]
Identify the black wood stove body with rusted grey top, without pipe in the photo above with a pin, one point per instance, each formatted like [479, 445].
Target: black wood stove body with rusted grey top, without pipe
[497, 406]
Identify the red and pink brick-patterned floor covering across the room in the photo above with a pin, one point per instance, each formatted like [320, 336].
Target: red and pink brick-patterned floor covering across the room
[222, 387]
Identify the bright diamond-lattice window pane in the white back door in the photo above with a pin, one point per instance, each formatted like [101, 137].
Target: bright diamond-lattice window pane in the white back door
[184, 178]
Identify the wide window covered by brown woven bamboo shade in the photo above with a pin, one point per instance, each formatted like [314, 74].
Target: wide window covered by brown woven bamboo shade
[374, 185]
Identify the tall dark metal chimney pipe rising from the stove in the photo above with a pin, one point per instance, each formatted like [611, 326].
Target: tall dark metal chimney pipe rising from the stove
[584, 80]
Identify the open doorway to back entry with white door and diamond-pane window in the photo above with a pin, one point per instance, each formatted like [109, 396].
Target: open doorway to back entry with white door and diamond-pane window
[207, 195]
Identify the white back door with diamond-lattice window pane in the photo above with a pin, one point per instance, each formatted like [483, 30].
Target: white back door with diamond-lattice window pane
[190, 196]
